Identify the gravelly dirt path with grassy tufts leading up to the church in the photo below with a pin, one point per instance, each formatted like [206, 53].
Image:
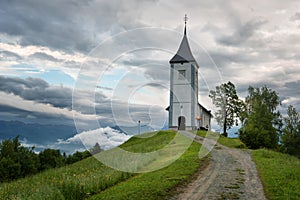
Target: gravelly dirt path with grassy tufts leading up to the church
[231, 174]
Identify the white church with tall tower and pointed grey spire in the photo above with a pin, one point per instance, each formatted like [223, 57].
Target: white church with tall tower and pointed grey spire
[185, 112]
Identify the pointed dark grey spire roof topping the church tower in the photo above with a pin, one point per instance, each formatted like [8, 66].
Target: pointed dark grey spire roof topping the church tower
[184, 53]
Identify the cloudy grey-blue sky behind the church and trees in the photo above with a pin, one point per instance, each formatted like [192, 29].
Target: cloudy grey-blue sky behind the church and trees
[100, 64]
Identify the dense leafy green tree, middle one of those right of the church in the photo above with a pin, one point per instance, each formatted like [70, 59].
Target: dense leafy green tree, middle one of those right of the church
[261, 119]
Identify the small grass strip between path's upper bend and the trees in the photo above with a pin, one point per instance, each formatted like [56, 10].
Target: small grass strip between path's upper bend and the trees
[229, 142]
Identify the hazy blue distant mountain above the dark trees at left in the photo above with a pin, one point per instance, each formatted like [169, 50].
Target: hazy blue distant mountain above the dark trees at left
[35, 133]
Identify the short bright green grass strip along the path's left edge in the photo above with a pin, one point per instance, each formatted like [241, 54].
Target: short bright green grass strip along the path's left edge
[157, 184]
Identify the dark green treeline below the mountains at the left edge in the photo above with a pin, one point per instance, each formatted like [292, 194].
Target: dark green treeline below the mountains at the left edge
[17, 161]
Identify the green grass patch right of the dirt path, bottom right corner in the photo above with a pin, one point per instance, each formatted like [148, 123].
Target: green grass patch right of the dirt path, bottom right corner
[280, 174]
